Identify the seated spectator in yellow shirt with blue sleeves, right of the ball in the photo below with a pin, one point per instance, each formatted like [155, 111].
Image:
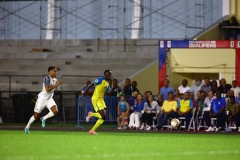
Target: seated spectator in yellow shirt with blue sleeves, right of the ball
[185, 107]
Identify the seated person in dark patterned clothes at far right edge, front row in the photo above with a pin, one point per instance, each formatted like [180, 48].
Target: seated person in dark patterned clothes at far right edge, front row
[233, 112]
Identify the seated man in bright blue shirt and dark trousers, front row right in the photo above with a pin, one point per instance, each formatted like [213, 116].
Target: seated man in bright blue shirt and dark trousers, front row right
[217, 110]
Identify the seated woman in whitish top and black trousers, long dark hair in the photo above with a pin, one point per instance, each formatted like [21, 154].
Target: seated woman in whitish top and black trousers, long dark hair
[151, 110]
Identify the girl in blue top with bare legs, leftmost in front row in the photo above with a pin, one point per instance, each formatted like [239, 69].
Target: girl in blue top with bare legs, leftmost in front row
[123, 112]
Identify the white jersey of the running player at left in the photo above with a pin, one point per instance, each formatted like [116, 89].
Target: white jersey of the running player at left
[47, 81]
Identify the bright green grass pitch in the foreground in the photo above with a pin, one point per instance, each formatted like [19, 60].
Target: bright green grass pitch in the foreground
[64, 145]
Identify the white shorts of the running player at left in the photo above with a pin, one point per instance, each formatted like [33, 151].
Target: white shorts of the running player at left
[42, 103]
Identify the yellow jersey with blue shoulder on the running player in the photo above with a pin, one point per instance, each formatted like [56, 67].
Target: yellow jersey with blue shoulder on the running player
[101, 87]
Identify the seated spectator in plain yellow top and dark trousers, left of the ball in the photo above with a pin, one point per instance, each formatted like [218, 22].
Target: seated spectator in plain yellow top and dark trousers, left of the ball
[169, 110]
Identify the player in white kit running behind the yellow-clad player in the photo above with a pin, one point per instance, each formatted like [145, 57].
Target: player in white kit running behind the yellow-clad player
[45, 98]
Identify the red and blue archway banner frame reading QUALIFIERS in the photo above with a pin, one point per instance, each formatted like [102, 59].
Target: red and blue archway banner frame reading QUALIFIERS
[164, 45]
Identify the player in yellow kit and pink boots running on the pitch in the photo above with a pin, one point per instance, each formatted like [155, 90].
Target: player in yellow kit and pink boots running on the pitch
[101, 88]
